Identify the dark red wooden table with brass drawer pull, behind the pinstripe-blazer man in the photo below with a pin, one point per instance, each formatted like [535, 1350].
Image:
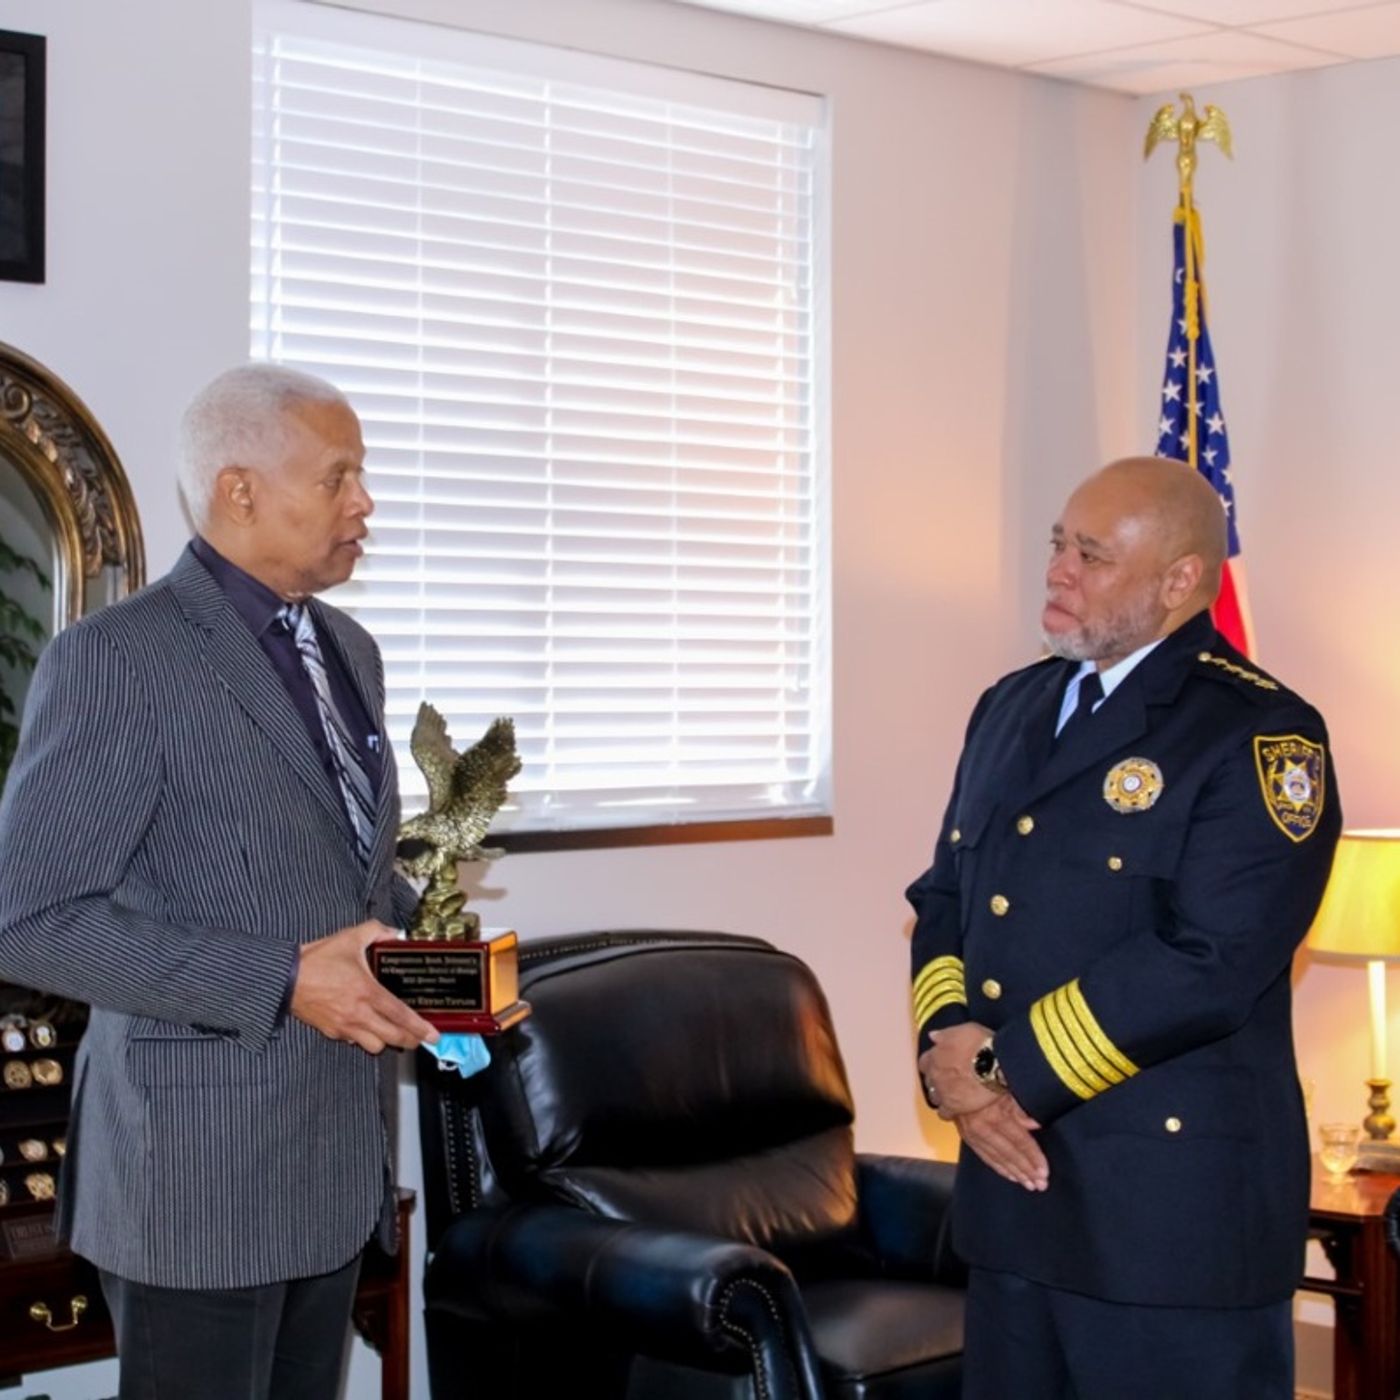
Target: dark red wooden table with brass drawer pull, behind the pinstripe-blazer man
[75, 1326]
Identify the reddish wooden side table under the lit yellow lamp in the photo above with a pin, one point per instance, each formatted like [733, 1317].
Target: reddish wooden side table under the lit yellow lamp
[1347, 1220]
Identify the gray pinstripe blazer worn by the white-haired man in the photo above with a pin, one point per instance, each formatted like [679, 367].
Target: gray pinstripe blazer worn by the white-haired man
[169, 836]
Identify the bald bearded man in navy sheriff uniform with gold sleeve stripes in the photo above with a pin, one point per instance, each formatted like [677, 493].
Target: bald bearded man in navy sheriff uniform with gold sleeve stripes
[1139, 836]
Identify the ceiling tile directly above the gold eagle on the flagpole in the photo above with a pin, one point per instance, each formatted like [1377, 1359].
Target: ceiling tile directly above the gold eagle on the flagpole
[1182, 64]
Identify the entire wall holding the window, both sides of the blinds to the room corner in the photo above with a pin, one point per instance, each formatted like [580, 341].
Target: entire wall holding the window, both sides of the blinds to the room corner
[983, 318]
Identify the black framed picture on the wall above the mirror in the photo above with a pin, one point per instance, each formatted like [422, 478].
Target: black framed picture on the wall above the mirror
[22, 156]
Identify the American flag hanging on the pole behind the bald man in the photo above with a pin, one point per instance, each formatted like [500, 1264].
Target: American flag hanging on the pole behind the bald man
[1231, 611]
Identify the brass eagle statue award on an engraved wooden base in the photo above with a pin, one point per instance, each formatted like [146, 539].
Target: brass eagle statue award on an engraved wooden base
[450, 971]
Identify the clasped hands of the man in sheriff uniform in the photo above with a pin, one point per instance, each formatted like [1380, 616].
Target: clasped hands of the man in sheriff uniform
[989, 1121]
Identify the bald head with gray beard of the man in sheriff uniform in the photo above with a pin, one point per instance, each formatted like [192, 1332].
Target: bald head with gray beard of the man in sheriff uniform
[1136, 554]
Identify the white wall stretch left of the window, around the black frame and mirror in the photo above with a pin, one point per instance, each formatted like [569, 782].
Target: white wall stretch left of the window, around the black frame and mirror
[148, 222]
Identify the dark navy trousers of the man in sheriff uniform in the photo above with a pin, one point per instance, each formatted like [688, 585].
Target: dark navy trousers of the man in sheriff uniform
[1025, 1342]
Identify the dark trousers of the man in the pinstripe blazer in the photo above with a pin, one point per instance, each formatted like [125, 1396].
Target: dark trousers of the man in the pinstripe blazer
[278, 1342]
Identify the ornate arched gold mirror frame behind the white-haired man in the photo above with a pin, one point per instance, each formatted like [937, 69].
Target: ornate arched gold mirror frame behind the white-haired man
[61, 453]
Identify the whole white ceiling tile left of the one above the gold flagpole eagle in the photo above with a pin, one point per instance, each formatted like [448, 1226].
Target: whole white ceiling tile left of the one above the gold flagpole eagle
[1016, 31]
